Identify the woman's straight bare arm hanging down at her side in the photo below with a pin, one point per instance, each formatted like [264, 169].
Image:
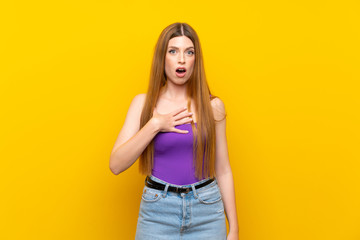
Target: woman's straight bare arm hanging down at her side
[223, 170]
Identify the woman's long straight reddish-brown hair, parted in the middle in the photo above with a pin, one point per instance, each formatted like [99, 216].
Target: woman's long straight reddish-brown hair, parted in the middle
[197, 89]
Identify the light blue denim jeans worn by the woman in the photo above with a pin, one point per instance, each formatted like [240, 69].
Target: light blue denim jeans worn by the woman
[196, 215]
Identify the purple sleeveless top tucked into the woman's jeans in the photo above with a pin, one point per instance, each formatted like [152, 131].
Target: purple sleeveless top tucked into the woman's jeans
[173, 156]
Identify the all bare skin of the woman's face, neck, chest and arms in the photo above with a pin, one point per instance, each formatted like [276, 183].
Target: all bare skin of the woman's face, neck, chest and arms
[170, 111]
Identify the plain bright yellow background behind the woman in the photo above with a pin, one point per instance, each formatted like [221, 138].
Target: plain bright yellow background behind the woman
[287, 71]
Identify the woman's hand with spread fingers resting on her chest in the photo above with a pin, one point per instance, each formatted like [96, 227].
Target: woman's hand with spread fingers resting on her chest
[167, 122]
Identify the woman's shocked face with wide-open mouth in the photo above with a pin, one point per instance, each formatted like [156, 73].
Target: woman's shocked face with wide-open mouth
[180, 54]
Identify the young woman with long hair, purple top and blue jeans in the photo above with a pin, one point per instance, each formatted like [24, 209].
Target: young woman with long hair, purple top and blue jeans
[178, 131]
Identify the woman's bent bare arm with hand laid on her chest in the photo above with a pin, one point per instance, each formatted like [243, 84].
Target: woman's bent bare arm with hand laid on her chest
[132, 140]
